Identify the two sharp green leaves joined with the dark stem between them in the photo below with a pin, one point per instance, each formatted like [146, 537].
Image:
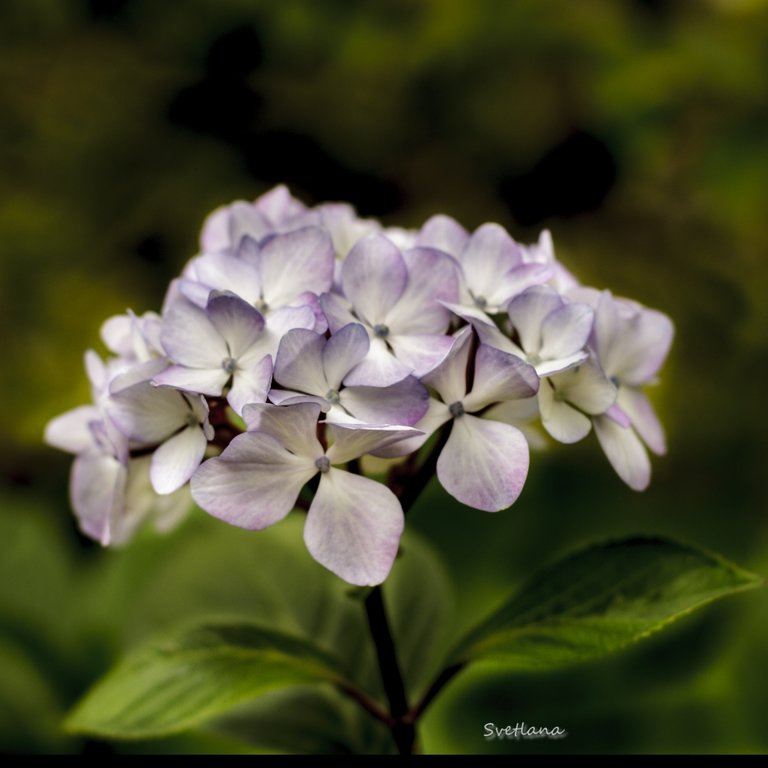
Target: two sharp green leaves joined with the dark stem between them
[587, 605]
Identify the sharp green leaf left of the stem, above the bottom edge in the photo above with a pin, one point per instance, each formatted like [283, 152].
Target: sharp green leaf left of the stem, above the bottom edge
[195, 675]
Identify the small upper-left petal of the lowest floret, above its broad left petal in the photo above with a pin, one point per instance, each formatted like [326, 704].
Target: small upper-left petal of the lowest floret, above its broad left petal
[294, 426]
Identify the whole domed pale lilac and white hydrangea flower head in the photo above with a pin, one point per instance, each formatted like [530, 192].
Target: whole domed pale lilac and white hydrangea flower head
[301, 340]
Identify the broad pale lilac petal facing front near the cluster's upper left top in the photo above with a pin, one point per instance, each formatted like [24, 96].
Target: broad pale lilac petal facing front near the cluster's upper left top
[296, 262]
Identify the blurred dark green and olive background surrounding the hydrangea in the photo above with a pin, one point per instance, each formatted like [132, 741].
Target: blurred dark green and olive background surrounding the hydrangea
[636, 130]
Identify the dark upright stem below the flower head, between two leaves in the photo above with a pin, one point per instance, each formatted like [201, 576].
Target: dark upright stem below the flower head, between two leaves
[404, 733]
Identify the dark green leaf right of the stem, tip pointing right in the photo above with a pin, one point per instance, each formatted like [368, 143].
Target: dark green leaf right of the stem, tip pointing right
[600, 600]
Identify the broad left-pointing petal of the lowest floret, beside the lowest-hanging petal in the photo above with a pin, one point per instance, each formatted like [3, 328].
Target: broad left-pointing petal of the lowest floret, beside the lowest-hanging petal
[254, 485]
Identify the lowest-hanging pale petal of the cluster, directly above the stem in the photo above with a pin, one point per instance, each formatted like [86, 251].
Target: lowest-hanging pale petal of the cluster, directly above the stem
[353, 527]
